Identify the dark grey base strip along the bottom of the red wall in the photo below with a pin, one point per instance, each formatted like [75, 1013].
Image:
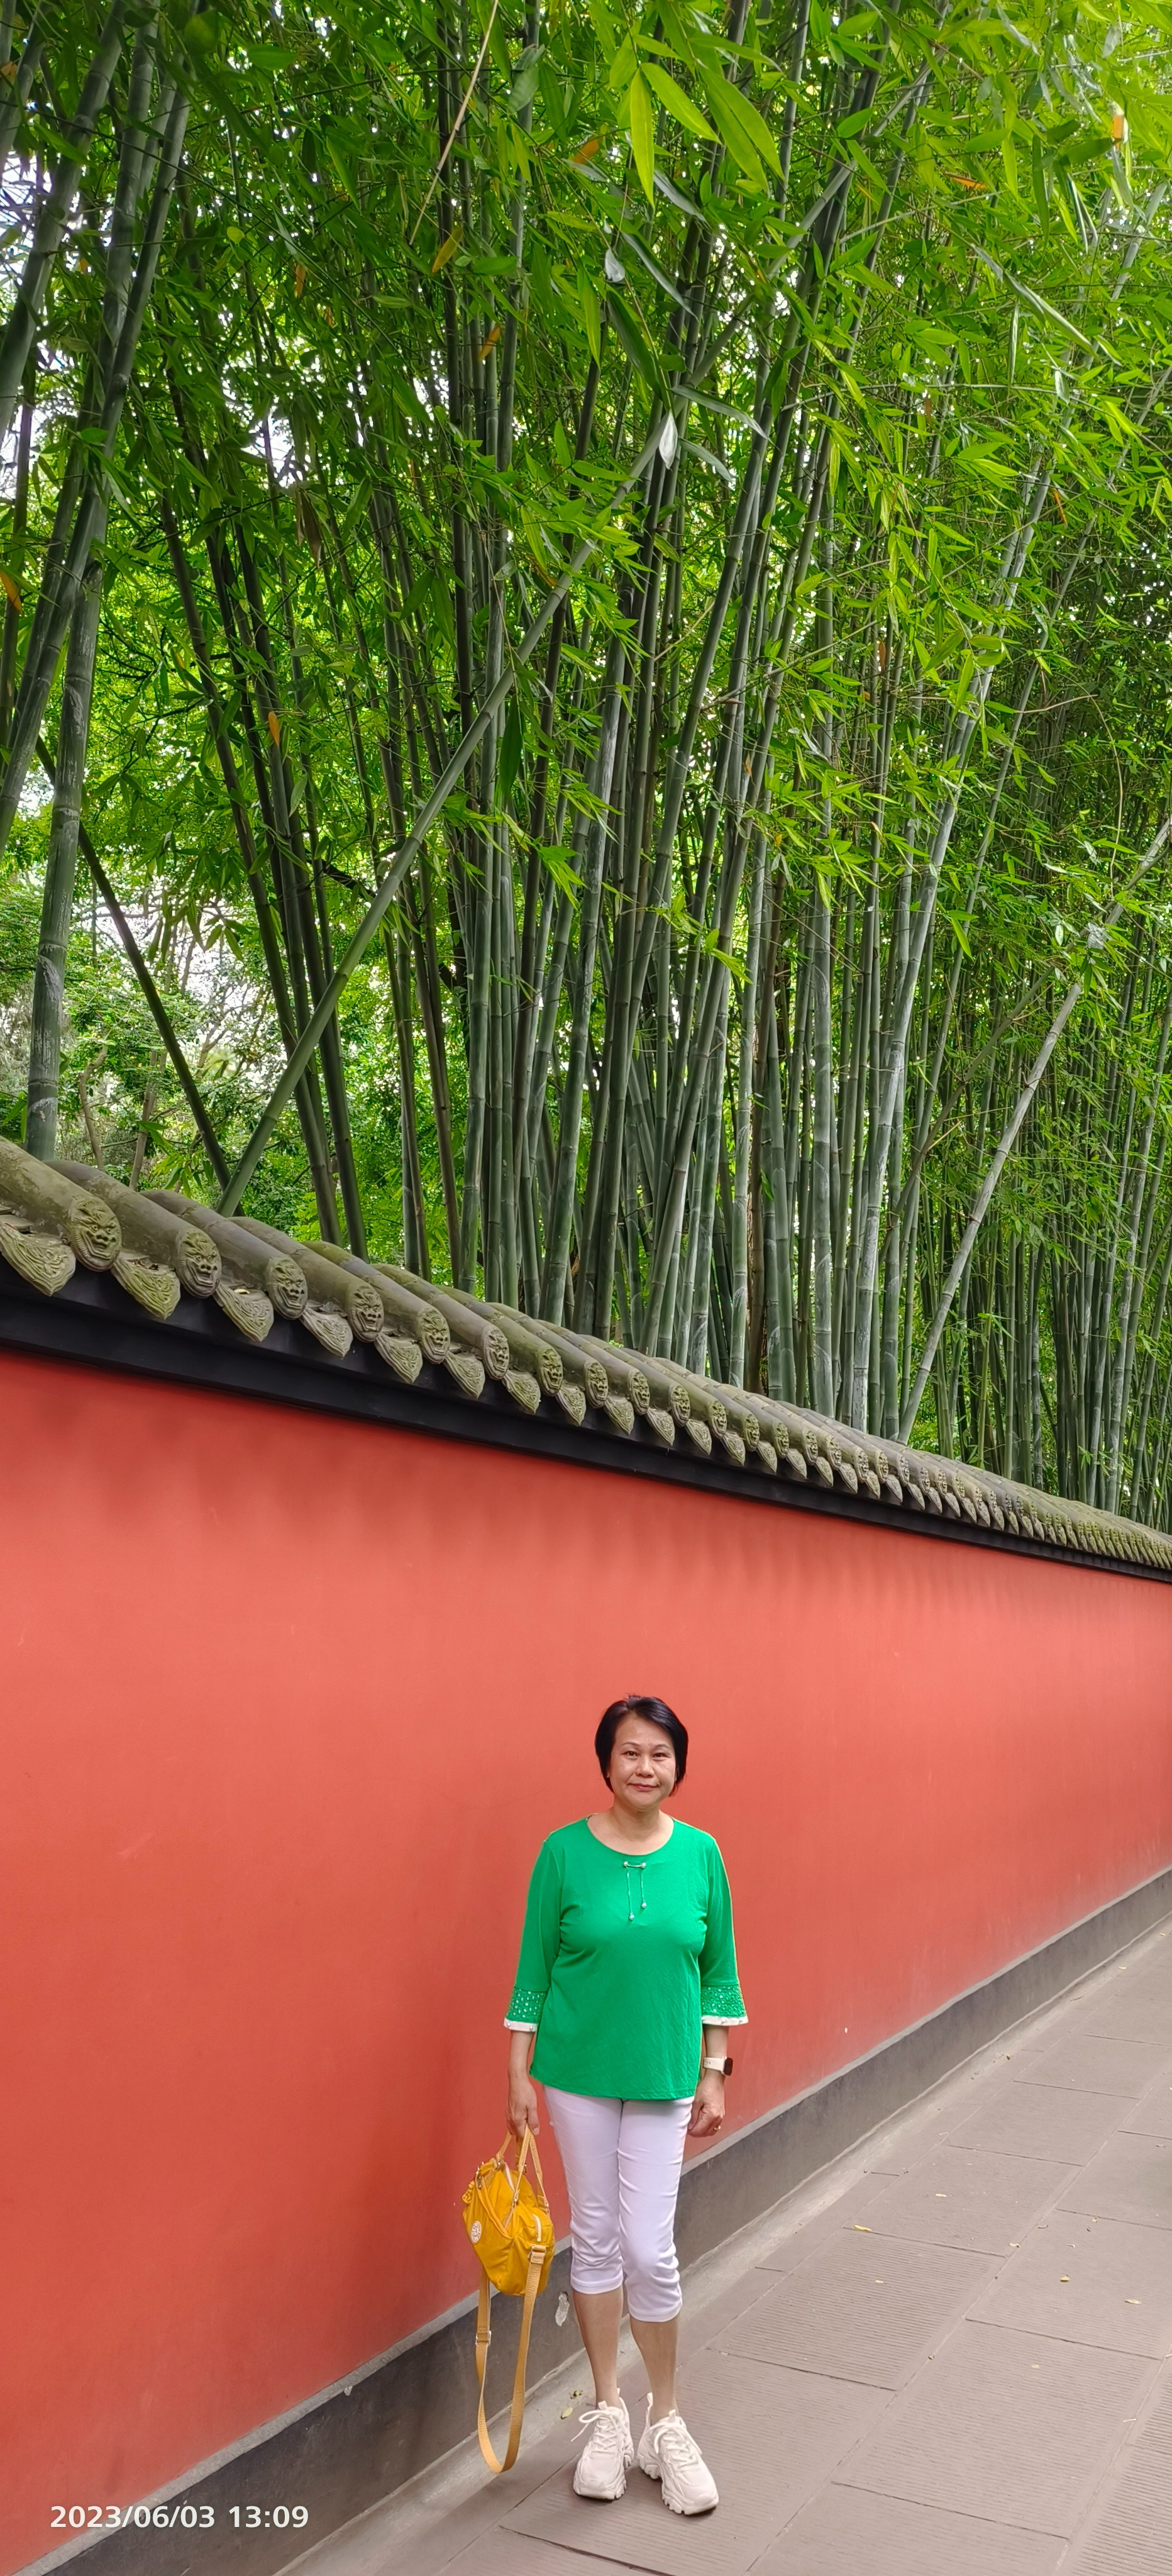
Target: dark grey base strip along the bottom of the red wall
[357, 2446]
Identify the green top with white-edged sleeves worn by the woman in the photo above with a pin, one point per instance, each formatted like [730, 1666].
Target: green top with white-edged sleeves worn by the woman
[622, 1962]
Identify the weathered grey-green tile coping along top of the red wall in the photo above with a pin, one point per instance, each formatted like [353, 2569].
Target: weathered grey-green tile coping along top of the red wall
[164, 1251]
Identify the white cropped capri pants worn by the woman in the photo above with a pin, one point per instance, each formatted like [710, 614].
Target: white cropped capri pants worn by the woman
[622, 2165]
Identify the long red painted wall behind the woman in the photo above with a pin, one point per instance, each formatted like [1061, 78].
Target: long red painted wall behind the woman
[287, 1712]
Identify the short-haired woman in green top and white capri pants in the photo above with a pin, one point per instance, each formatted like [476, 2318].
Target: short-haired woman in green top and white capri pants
[625, 1956]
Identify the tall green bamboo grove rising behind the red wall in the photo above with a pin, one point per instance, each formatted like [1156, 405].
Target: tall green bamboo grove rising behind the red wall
[586, 671]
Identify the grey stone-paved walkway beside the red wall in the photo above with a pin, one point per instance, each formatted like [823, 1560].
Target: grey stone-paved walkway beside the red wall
[947, 2358]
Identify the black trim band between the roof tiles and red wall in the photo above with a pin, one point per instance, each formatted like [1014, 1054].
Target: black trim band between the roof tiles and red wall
[94, 1323]
